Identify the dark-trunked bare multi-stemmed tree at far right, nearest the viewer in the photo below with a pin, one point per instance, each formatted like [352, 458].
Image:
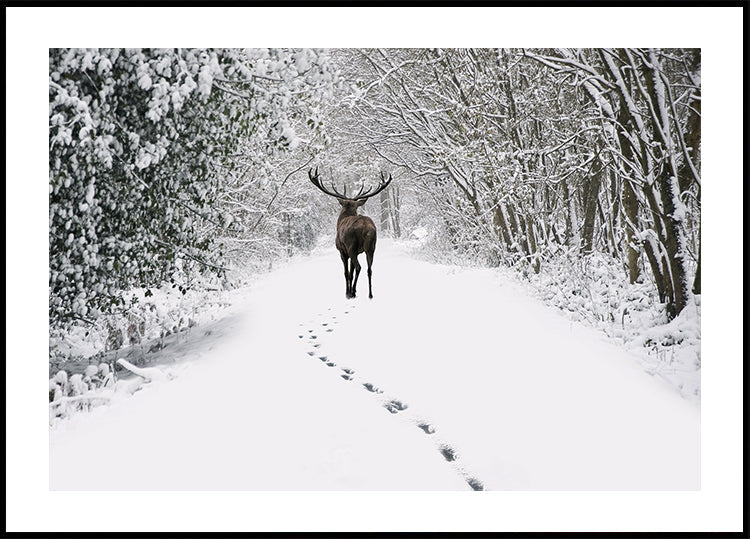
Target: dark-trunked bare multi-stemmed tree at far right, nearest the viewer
[649, 104]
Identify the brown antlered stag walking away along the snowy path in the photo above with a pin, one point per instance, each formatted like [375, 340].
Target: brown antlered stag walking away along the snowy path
[355, 233]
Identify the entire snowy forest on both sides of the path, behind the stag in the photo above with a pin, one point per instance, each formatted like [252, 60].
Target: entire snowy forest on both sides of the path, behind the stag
[188, 170]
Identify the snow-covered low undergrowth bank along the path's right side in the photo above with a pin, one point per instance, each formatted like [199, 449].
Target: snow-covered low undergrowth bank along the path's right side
[591, 290]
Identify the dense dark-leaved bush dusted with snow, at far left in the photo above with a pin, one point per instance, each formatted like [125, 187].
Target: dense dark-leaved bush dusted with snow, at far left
[128, 166]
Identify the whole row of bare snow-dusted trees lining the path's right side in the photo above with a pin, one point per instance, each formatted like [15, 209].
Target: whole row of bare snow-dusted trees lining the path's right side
[528, 156]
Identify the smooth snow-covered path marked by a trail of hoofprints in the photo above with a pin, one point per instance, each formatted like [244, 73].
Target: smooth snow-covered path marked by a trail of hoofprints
[449, 379]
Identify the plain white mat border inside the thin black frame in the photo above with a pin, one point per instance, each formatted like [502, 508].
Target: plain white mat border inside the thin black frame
[32, 507]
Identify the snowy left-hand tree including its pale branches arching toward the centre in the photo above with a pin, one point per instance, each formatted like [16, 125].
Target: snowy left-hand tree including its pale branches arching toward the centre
[136, 142]
